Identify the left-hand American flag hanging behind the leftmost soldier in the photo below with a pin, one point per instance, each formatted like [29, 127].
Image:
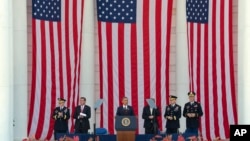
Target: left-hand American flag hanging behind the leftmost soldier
[56, 51]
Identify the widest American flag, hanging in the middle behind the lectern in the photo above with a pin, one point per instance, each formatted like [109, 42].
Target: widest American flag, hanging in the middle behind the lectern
[134, 43]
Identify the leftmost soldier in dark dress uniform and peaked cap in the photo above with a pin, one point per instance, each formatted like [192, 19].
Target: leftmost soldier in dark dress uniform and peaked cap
[61, 114]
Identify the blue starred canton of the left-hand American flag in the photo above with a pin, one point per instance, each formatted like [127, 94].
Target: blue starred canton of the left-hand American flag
[46, 10]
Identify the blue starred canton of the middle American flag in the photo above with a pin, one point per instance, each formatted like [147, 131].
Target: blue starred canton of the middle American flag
[117, 10]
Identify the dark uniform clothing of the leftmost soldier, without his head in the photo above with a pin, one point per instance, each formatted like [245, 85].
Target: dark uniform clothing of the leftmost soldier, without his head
[61, 123]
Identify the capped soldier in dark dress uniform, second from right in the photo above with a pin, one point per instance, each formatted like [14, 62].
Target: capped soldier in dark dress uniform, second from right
[172, 115]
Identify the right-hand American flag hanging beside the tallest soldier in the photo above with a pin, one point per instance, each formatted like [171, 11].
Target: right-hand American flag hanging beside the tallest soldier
[211, 63]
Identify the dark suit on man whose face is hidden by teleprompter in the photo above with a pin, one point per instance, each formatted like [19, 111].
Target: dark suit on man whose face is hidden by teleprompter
[145, 115]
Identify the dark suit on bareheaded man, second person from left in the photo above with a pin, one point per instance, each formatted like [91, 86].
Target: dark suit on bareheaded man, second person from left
[82, 123]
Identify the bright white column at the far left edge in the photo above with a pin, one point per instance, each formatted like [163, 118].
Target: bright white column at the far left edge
[6, 70]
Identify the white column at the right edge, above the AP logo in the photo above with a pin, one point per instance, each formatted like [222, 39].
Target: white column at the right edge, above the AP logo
[243, 61]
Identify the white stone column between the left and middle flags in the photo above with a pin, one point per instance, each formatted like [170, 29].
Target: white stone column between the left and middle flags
[88, 60]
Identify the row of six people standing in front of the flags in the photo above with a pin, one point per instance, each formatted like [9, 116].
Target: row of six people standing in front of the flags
[192, 112]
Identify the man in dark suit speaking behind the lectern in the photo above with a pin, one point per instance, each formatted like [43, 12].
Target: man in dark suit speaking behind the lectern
[125, 109]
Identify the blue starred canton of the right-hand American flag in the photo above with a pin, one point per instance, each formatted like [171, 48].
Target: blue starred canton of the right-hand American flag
[197, 11]
